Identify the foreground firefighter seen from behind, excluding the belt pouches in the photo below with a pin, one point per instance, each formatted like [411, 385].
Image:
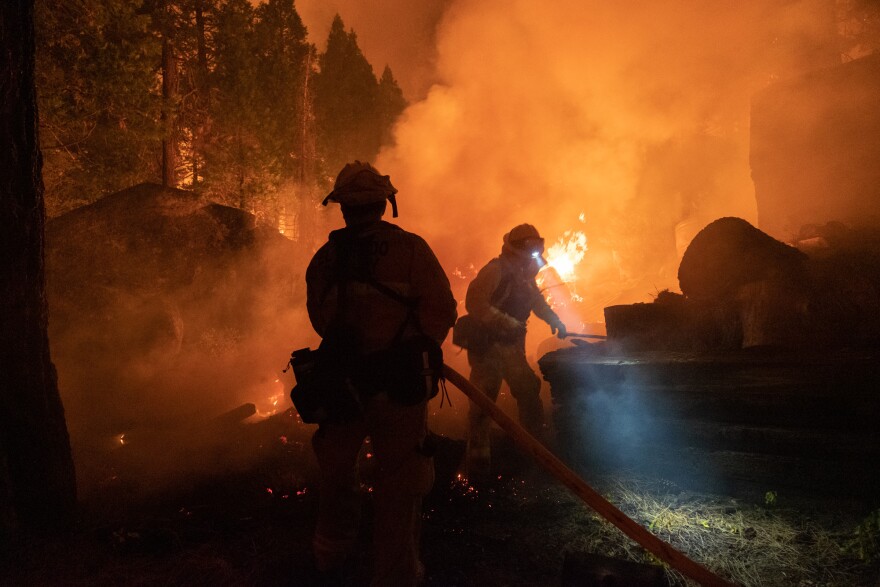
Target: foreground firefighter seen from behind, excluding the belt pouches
[386, 267]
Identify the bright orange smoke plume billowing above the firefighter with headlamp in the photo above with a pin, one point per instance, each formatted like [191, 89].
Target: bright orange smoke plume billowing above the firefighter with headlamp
[633, 115]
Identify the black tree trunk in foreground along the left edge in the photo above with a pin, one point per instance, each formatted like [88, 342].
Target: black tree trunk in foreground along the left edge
[37, 482]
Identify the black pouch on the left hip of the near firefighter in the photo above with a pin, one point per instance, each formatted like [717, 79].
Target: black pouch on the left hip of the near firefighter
[323, 392]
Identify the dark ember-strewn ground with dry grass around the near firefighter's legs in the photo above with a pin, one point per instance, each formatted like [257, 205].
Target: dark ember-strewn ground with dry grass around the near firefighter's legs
[251, 524]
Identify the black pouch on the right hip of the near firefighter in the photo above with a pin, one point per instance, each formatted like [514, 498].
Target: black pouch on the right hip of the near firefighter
[410, 371]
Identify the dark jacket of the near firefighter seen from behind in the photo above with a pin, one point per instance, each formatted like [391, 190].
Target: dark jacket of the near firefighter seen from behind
[346, 277]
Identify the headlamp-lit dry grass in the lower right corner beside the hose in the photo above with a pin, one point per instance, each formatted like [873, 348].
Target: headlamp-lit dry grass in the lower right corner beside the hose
[750, 544]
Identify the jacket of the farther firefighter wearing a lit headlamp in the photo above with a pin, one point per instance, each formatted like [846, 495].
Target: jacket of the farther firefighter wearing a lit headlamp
[503, 295]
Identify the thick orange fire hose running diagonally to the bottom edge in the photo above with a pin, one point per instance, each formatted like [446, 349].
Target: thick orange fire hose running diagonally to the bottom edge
[665, 552]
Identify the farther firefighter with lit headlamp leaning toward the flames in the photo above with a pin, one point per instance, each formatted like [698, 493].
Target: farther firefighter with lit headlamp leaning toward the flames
[501, 298]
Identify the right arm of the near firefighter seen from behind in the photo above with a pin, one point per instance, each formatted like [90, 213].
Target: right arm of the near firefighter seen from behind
[437, 308]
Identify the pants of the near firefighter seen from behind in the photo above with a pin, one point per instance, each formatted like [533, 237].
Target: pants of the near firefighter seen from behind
[403, 476]
